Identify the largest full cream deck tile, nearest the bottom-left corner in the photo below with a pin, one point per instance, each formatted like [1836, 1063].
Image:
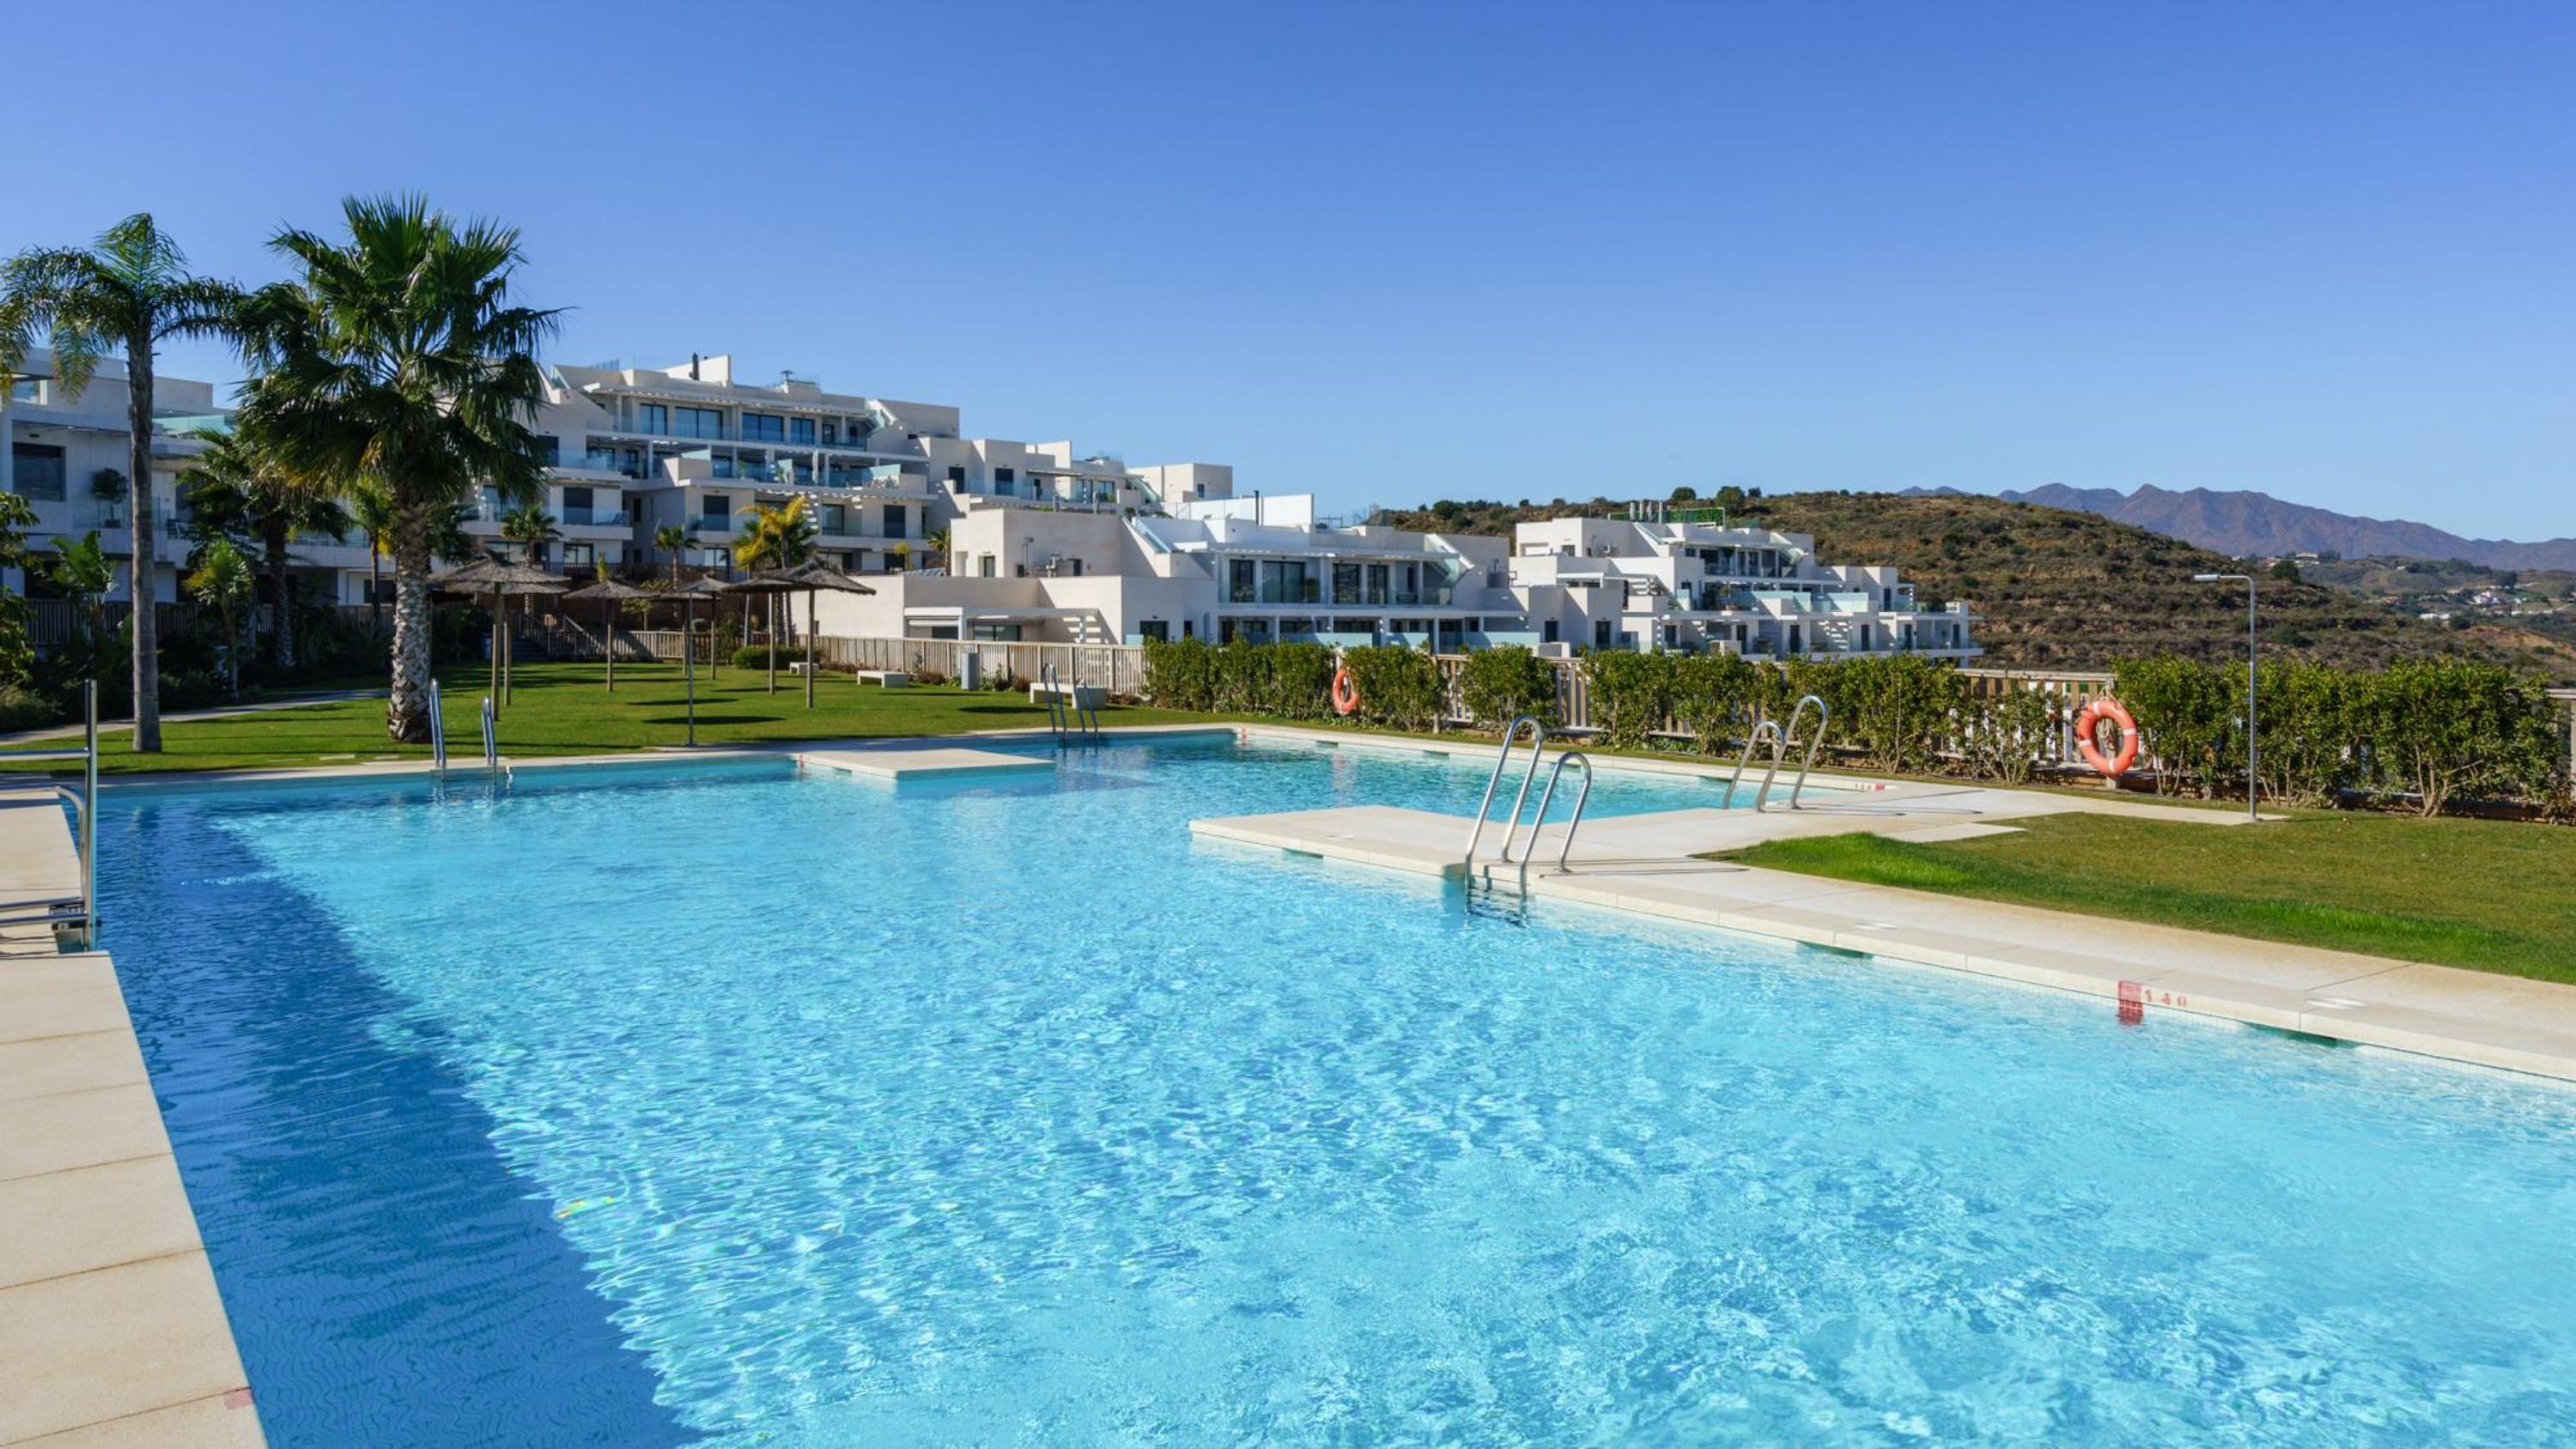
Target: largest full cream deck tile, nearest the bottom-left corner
[109, 1345]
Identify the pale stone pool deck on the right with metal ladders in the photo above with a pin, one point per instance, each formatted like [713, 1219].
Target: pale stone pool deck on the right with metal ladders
[1650, 866]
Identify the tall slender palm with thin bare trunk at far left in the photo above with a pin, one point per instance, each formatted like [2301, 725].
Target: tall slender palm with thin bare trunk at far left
[133, 292]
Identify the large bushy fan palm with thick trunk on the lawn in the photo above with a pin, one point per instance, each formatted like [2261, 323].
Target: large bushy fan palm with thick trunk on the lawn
[398, 364]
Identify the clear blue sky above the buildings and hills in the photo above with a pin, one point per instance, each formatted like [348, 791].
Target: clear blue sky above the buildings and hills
[1403, 254]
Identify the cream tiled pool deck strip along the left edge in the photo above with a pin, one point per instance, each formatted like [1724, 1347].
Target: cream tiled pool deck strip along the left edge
[109, 1322]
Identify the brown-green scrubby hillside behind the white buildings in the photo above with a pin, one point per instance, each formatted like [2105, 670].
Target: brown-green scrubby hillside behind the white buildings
[2072, 591]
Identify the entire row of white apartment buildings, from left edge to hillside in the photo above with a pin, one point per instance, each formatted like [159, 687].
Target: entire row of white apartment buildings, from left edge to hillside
[1045, 542]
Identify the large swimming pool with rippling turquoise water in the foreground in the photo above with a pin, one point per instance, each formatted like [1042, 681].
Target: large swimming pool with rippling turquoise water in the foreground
[661, 1105]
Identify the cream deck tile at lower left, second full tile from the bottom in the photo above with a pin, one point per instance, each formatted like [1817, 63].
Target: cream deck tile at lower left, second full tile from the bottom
[94, 1219]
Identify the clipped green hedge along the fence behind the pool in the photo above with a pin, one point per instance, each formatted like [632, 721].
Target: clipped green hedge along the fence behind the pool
[2430, 732]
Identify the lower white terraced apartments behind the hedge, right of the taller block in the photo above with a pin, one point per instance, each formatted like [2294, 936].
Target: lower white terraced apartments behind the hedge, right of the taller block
[1269, 570]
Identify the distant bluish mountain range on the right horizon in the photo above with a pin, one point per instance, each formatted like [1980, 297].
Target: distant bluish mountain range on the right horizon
[2263, 526]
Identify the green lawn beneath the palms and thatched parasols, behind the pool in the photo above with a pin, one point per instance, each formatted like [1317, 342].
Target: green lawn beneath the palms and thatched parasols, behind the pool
[560, 709]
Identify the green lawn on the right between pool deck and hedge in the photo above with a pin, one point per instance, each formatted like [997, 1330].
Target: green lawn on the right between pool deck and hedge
[2477, 894]
